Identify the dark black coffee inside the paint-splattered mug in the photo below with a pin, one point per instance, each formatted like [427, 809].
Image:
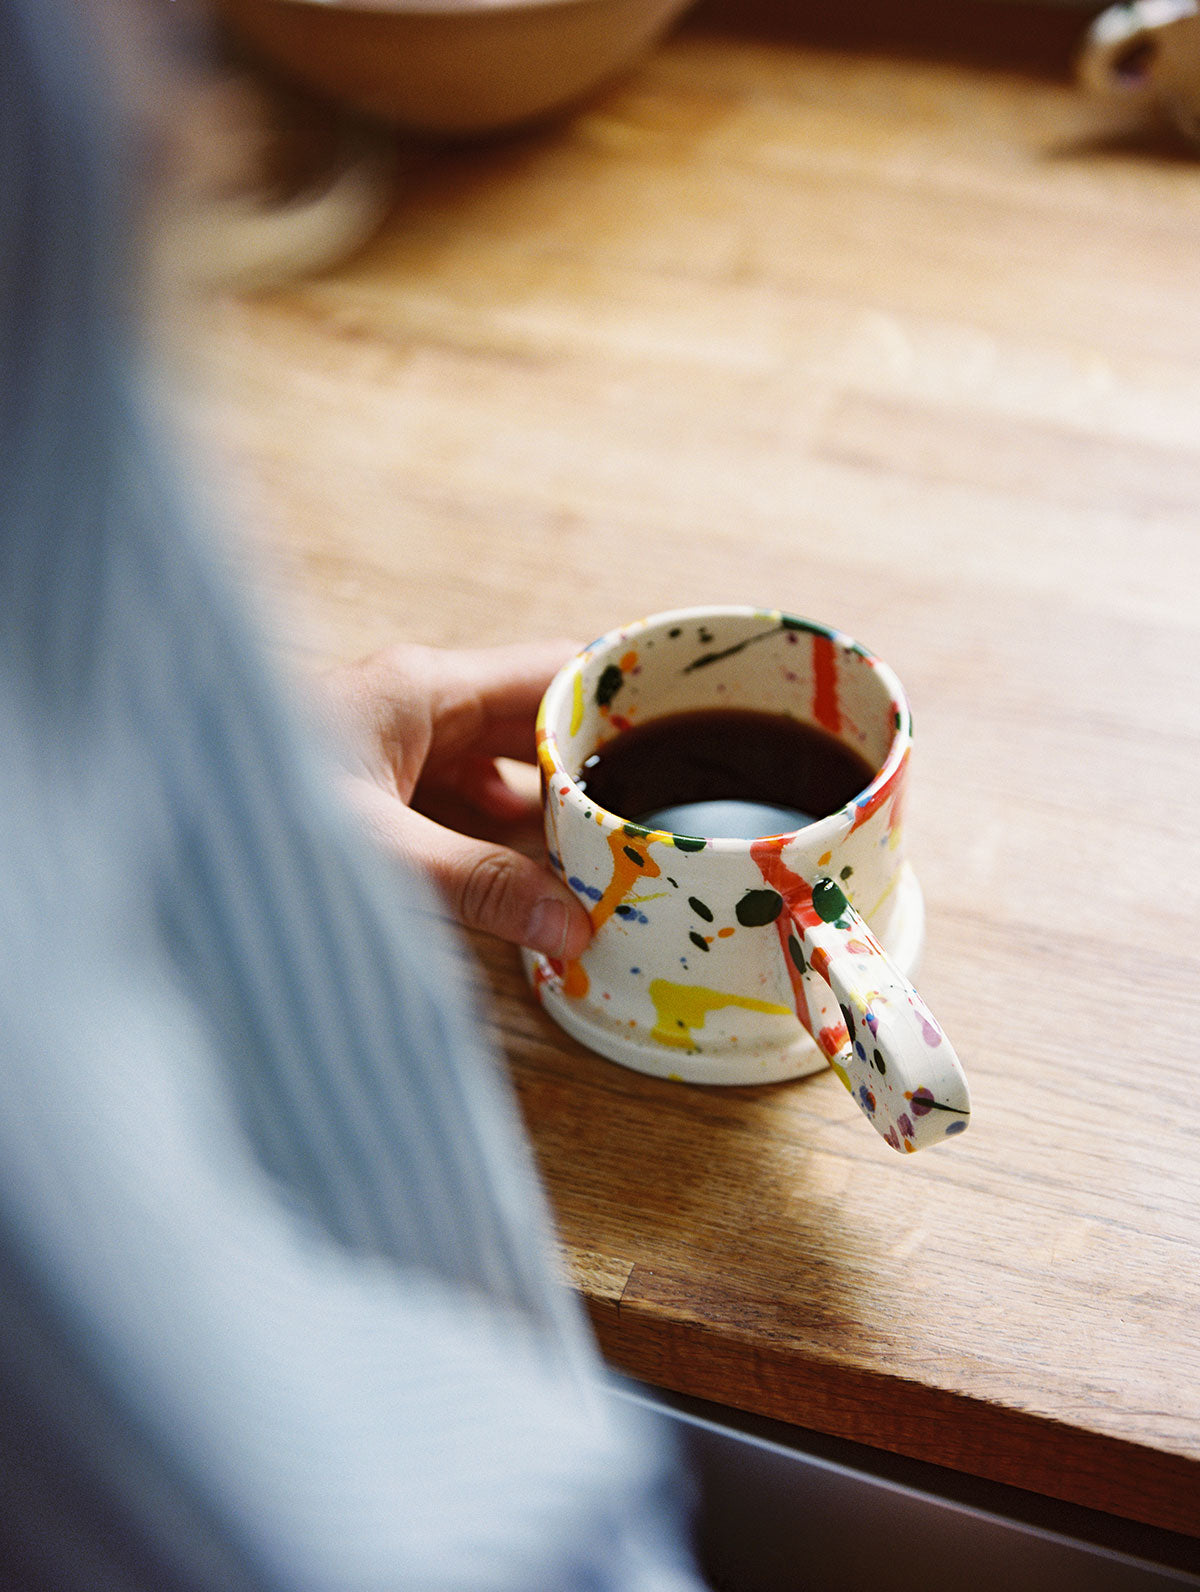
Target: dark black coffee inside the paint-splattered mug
[725, 775]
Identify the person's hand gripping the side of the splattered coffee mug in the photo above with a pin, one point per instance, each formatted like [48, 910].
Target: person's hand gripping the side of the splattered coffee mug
[426, 728]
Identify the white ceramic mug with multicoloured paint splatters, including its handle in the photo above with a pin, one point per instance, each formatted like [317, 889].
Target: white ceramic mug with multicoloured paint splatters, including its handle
[747, 961]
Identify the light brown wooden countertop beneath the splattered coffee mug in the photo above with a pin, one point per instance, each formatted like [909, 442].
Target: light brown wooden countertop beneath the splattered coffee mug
[911, 343]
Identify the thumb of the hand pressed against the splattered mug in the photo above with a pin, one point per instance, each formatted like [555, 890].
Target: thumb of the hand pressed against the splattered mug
[488, 888]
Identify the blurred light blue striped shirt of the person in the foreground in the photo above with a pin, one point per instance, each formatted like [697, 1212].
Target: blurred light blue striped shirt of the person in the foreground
[276, 1301]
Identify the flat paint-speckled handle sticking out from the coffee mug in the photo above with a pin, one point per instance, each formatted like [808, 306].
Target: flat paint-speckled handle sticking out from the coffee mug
[875, 1029]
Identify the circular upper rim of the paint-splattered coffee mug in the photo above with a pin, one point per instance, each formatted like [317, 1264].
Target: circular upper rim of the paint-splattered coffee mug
[824, 830]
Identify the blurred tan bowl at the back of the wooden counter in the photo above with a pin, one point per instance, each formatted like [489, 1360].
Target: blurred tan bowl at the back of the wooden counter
[453, 66]
